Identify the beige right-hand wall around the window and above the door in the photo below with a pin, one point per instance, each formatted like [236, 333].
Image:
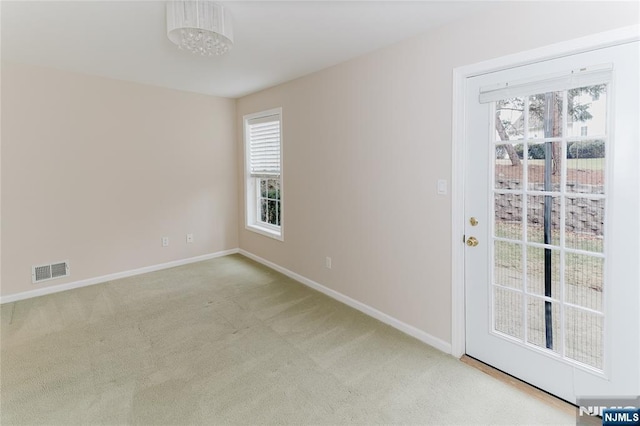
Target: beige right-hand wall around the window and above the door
[364, 144]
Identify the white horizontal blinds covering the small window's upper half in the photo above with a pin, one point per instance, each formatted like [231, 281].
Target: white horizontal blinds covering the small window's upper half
[264, 146]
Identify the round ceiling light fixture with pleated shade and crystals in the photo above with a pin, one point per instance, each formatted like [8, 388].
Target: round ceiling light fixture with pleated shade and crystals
[200, 26]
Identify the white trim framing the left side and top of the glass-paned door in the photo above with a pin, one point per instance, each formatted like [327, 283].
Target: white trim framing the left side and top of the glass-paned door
[460, 75]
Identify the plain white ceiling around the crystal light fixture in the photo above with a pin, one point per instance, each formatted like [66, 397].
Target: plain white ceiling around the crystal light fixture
[274, 41]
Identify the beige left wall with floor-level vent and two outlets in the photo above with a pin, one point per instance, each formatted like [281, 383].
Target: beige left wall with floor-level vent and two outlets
[96, 171]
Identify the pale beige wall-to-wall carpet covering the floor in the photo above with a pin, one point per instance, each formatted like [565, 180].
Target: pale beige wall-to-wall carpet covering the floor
[228, 341]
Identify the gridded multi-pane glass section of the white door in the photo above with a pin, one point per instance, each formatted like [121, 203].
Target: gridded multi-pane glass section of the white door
[547, 245]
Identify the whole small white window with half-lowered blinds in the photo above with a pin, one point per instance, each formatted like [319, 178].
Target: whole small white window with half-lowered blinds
[263, 173]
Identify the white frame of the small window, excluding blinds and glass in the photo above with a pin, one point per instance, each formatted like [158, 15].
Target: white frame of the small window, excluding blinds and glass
[252, 194]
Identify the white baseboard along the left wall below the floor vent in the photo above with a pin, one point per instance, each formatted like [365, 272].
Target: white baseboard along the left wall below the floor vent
[110, 277]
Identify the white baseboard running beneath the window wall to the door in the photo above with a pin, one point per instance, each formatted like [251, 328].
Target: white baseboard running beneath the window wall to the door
[372, 312]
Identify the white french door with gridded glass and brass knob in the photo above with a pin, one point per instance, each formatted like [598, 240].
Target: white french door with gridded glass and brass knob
[552, 276]
